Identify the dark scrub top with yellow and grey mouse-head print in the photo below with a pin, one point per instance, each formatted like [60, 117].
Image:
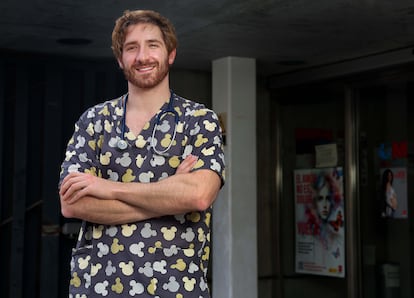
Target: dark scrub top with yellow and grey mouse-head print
[160, 257]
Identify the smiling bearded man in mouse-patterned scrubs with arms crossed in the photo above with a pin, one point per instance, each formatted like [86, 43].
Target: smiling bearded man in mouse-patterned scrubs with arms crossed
[141, 172]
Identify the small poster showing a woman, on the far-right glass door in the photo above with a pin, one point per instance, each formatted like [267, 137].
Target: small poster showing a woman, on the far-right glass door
[393, 192]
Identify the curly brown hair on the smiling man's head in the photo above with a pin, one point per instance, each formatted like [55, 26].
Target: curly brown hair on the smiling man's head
[142, 16]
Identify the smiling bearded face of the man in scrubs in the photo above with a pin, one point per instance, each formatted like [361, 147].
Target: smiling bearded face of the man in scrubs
[145, 60]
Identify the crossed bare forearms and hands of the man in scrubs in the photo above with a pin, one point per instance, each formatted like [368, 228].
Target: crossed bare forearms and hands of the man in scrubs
[103, 201]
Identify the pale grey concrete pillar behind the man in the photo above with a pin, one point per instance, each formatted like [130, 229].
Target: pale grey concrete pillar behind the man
[234, 235]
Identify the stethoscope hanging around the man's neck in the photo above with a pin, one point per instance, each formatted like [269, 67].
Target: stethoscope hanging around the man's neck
[122, 144]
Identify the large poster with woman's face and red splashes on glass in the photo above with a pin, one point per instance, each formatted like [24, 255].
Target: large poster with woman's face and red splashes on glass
[319, 214]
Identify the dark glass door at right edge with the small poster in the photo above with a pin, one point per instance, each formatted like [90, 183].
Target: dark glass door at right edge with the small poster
[386, 135]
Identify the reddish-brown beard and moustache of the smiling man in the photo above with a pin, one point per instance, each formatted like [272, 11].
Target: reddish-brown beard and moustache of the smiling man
[148, 80]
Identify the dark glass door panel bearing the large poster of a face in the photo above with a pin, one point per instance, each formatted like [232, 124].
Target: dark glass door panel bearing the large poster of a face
[312, 200]
